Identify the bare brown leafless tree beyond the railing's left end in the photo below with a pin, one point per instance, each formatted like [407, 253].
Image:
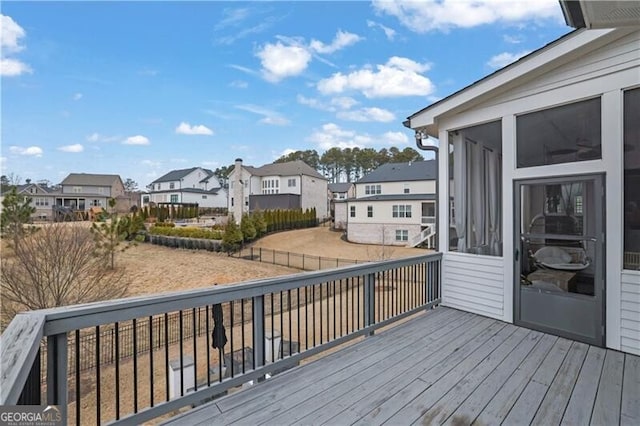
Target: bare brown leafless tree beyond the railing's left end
[56, 266]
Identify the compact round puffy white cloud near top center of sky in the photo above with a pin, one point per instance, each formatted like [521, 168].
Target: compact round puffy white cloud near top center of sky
[280, 61]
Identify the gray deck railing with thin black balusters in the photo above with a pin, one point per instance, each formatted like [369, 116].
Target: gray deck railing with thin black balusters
[269, 325]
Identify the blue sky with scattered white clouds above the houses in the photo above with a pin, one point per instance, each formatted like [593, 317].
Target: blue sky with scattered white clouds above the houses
[142, 88]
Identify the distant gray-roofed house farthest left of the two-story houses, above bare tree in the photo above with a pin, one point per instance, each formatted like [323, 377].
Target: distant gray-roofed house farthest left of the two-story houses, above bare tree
[81, 191]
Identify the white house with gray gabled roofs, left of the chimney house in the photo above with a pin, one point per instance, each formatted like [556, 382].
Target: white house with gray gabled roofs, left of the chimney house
[195, 185]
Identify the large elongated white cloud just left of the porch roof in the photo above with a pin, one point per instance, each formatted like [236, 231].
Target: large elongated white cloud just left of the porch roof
[398, 77]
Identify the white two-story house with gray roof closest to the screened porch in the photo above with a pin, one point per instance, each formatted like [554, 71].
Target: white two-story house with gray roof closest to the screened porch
[394, 205]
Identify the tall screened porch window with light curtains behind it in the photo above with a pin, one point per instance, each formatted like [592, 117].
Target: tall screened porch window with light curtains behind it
[476, 158]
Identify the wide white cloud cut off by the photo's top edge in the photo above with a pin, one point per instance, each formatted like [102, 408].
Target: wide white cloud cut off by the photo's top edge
[443, 15]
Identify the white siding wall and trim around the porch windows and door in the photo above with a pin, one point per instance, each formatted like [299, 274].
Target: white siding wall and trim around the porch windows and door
[604, 68]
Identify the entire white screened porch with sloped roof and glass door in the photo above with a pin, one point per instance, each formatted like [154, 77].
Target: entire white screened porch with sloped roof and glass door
[546, 178]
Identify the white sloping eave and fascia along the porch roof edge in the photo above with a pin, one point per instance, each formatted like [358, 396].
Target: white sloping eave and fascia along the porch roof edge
[556, 53]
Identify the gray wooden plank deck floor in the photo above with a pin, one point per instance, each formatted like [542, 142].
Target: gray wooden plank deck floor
[444, 367]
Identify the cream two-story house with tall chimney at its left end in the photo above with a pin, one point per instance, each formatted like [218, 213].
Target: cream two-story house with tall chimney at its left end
[291, 185]
